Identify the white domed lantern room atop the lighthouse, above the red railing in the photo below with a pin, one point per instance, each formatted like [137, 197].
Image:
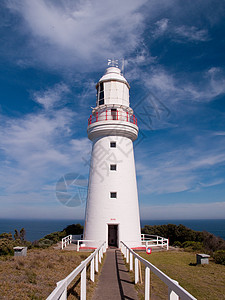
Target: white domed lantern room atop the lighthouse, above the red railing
[112, 88]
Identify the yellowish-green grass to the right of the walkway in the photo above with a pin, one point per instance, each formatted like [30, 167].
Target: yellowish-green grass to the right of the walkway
[202, 281]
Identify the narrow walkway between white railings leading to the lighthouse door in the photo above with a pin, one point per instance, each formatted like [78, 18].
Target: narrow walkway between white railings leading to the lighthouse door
[114, 281]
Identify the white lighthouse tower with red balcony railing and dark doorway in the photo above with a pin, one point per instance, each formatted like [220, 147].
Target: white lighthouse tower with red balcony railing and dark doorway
[112, 210]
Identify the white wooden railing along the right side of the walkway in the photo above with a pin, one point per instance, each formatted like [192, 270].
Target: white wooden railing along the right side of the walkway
[174, 289]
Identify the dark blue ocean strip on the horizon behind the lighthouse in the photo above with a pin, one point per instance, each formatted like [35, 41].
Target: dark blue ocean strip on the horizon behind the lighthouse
[36, 229]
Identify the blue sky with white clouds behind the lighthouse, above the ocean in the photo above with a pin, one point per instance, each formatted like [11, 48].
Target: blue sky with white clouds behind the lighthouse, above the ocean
[53, 53]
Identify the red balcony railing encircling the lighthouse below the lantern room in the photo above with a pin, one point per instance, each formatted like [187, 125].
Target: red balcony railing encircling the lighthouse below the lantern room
[115, 115]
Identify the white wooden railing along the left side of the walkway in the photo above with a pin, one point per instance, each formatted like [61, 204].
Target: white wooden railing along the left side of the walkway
[60, 292]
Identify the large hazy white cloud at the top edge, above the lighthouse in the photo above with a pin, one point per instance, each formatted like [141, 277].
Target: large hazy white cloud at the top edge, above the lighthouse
[80, 32]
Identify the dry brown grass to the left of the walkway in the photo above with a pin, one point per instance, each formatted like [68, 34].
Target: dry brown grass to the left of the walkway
[35, 276]
